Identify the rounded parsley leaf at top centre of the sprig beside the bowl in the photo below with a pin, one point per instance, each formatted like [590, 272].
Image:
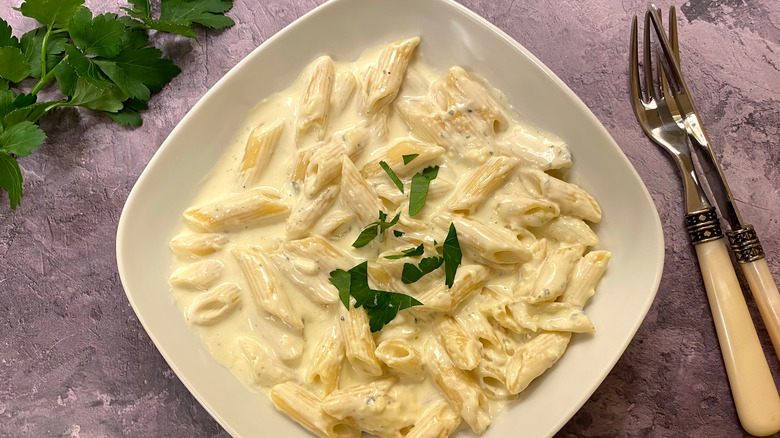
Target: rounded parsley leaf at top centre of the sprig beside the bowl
[99, 36]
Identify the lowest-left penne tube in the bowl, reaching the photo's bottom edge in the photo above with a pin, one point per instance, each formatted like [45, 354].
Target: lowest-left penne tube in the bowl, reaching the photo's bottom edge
[304, 407]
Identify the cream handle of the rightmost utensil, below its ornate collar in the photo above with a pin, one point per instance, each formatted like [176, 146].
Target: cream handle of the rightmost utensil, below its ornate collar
[764, 290]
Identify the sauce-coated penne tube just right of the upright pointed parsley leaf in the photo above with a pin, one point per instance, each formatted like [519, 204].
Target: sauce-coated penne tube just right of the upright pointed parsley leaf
[496, 245]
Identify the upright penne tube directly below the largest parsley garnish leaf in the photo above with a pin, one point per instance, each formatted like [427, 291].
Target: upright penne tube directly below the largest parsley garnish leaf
[358, 341]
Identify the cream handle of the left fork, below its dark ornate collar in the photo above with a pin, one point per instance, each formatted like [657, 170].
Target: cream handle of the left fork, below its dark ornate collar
[754, 392]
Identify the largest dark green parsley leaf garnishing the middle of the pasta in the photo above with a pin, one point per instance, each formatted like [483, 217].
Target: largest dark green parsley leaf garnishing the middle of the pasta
[381, 306]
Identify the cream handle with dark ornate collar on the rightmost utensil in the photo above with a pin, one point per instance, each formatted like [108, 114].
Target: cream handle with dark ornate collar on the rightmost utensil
[748, 252]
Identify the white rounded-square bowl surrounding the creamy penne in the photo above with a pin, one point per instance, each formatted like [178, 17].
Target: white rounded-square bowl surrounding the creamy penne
[451, 35]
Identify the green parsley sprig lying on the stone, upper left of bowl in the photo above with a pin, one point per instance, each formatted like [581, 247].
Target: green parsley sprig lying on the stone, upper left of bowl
[101, 62]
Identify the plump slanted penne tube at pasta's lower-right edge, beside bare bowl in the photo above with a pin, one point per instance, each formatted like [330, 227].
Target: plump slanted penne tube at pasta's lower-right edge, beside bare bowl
[534, 358]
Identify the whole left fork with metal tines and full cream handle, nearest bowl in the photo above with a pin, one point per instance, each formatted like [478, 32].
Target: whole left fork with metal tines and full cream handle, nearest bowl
[752, 386]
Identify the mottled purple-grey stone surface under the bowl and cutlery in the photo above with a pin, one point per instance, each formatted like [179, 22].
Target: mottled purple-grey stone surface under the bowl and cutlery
[75, 362]
